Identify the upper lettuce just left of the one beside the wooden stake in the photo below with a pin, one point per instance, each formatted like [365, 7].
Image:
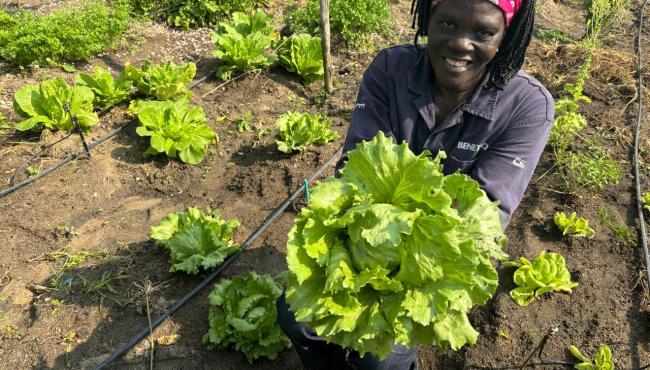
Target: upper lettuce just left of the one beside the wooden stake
[243, 44]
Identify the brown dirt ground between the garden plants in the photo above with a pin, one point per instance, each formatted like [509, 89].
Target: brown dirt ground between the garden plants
[105, 205]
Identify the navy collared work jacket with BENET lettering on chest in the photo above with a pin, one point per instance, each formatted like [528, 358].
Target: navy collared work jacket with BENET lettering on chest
[496, 136]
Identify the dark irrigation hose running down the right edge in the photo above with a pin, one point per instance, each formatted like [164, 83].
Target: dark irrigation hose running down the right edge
[637, 178]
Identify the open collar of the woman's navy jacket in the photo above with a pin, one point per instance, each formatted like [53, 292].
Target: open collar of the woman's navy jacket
[482, 102]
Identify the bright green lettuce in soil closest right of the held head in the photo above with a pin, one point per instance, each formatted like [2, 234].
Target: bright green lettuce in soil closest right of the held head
[547, 273]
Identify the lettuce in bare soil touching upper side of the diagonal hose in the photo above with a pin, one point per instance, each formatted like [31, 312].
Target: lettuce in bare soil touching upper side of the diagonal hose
[196, 239]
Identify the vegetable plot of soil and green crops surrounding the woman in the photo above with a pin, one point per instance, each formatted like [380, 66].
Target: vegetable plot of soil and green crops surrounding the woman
[81, 273]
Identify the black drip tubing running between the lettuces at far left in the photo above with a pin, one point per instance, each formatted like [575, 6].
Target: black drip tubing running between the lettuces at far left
[74, 156]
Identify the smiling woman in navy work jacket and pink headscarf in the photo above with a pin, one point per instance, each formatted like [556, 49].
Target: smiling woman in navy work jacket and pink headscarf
[464, 94]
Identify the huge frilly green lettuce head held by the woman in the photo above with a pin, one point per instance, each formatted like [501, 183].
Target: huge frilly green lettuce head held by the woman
[393, 251]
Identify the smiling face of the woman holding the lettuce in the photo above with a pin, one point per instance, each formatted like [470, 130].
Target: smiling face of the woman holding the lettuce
[464, 36]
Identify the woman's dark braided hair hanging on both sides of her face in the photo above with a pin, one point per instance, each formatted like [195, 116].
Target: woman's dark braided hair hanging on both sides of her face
[510, 56]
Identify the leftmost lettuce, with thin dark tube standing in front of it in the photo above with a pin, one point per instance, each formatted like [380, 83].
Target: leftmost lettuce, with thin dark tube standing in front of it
[43, 106]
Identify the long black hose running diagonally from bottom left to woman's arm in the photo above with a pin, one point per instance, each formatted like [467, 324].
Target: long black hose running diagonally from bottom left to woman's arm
[181, 302]
